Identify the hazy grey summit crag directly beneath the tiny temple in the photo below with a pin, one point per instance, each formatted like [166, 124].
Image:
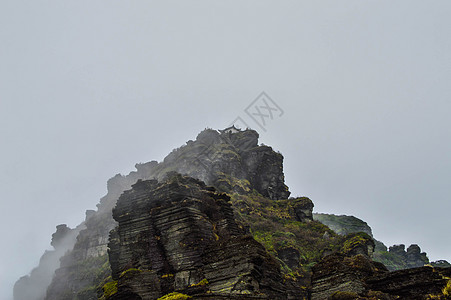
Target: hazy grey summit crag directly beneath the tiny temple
[230, 162]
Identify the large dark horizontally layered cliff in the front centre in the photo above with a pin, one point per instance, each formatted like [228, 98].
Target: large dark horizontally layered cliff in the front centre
[182, 236]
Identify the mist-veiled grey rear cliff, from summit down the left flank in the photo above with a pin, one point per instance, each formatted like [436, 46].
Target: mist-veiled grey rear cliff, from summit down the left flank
[232, 162]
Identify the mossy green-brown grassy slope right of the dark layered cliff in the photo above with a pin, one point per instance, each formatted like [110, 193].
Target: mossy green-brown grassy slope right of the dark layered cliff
[273, 223]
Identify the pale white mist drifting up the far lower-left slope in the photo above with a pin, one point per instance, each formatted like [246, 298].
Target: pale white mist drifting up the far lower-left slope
[34, 286]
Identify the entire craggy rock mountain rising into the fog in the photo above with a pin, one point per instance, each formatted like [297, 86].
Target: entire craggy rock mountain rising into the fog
[213, 221]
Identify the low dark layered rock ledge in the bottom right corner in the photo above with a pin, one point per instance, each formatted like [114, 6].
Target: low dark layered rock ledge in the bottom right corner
[340, 276]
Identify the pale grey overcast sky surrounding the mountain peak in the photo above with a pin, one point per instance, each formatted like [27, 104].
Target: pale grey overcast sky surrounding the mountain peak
[89, 88]
